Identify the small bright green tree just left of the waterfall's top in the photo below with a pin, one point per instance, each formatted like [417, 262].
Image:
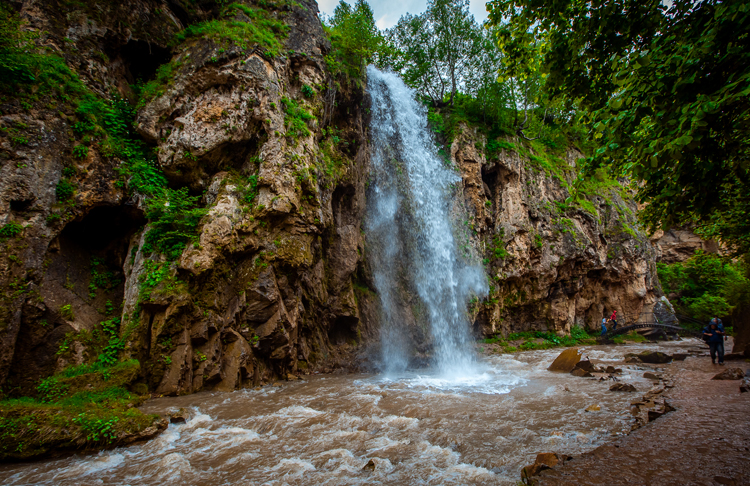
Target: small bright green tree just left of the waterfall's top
[355, 41]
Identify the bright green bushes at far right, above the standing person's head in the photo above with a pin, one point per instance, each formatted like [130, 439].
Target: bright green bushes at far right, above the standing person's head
[706, 285]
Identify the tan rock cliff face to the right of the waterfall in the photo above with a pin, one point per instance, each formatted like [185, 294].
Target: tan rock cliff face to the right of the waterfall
[554, 258]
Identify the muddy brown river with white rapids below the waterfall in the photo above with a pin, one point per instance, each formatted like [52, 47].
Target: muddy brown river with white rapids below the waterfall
[417, 429]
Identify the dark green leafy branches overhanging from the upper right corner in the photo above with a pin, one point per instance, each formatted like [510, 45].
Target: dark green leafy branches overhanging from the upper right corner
[667, 93]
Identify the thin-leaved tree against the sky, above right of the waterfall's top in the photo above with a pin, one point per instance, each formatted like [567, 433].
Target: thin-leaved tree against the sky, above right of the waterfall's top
[434, 51]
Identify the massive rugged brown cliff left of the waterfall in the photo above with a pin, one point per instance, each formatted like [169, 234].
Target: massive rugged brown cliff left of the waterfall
[266, 286]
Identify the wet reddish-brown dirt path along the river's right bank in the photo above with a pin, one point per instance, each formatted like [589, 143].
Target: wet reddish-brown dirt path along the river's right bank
[706, 441]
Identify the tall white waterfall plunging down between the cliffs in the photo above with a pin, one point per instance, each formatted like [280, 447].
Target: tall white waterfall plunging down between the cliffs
[410, 233]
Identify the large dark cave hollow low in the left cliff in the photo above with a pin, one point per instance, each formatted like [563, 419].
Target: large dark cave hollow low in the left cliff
[83, 285]
